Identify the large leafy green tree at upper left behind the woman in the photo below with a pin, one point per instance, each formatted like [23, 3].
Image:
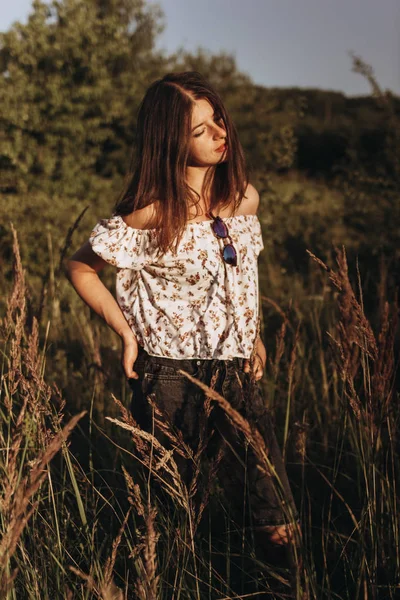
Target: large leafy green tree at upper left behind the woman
[69, 80]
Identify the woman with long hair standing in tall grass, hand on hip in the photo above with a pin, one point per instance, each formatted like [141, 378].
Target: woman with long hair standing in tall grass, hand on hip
[185, 238]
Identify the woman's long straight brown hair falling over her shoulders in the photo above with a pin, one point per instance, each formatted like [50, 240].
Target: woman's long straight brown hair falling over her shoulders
[157, 169]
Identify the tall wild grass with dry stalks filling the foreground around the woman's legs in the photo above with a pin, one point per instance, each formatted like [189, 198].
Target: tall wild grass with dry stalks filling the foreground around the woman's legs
[107, 515]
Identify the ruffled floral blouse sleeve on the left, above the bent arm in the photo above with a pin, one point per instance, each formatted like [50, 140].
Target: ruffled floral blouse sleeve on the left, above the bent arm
[120, 245]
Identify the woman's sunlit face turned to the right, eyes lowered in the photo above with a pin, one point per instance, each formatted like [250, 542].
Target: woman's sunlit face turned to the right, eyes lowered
[208, 136]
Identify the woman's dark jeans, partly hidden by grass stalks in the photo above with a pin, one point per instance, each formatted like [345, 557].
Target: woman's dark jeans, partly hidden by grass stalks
[185, 408]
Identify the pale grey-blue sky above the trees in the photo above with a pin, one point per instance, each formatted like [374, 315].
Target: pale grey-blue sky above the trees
[283, 43]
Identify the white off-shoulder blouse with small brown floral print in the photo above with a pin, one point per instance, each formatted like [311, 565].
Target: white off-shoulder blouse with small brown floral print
[188, 304]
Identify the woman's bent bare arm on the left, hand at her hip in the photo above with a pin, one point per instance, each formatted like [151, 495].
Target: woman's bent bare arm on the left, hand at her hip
[83, 268]
